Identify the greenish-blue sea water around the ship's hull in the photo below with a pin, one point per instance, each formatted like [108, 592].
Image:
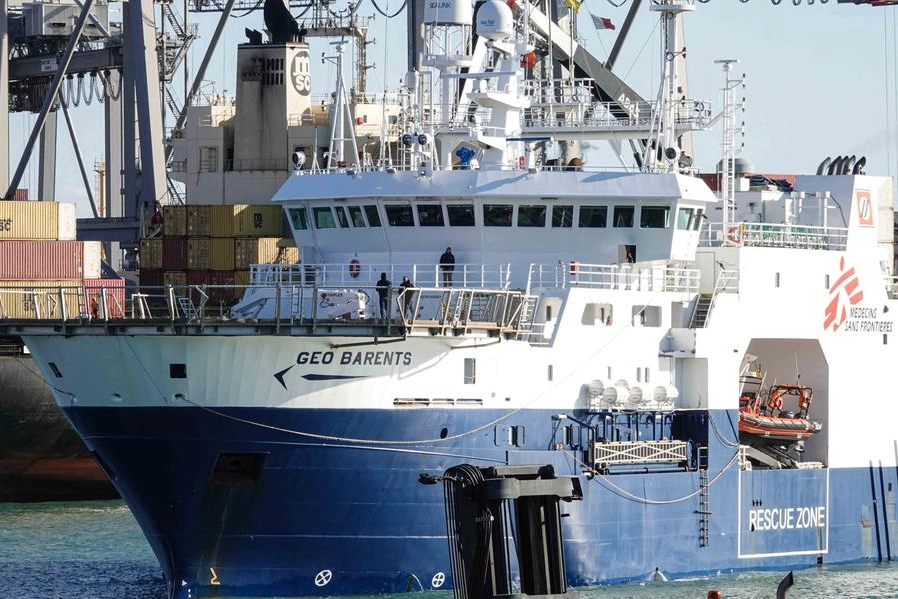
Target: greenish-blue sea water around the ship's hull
[95, 550]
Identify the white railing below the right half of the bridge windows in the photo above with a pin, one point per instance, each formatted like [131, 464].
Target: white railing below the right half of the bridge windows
[640, 276]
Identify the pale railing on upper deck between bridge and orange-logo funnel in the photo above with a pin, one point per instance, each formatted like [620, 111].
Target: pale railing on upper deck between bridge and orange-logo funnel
[747, 234]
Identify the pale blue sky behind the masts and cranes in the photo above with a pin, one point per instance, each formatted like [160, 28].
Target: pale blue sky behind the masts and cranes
[820, 79]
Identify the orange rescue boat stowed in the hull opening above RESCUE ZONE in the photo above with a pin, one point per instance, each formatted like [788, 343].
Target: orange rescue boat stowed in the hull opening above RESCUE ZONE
[770, 420]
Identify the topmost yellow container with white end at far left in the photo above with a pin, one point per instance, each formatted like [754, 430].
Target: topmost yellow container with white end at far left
[37, 220]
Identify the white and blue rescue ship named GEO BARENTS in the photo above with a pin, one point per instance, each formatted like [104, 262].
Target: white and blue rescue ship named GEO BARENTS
[613, 323]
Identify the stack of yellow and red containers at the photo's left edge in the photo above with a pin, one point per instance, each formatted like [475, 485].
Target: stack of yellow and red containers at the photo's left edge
[39, 255]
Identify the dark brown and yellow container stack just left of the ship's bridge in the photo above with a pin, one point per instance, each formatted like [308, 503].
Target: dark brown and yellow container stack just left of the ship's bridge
[213, 245]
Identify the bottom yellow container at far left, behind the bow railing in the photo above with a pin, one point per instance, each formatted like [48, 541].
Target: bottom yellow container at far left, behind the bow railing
[40, 299]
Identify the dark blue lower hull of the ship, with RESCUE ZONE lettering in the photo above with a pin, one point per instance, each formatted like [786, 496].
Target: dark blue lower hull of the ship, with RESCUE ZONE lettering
[325, 508]
